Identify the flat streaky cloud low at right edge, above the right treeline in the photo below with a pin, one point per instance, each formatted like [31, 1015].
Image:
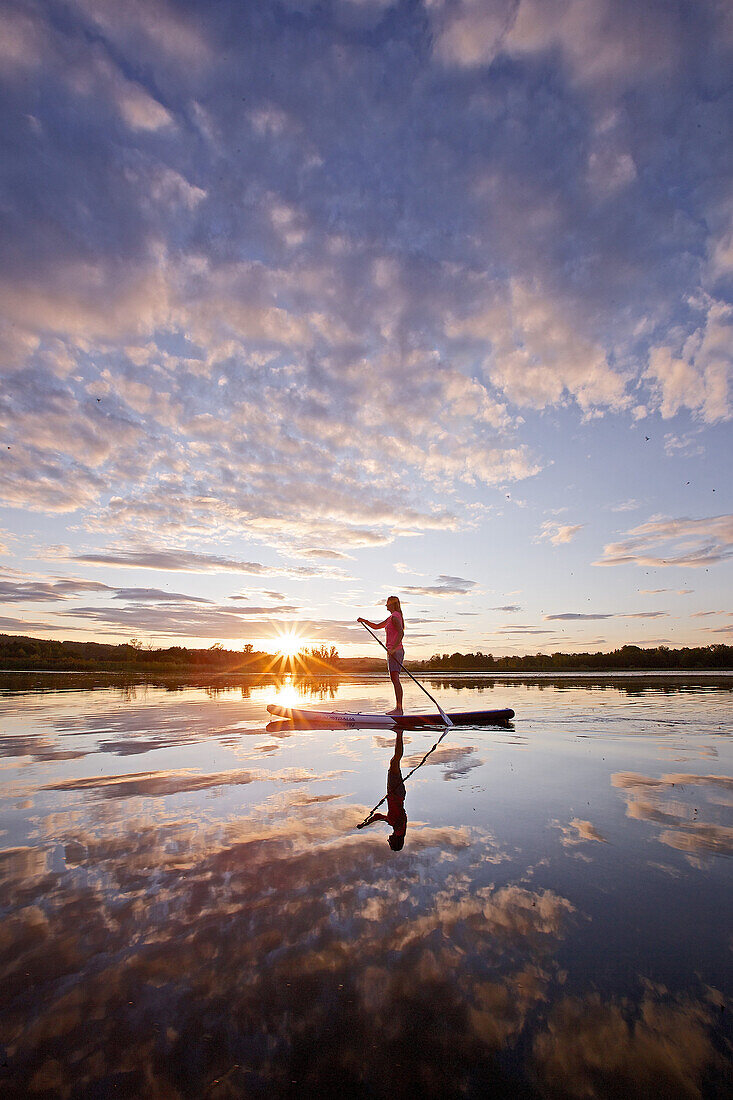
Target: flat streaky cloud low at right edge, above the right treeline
[692, 544]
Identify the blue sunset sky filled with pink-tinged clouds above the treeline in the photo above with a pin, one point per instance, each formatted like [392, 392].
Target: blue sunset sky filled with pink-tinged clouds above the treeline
[304, 304]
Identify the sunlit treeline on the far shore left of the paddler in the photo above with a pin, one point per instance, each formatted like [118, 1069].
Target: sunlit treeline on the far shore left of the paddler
[42, 654]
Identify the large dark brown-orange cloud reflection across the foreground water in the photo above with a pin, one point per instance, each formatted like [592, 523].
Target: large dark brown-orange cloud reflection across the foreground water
[282, 949]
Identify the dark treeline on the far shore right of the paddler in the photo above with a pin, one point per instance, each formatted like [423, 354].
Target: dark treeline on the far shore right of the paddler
[629, 658]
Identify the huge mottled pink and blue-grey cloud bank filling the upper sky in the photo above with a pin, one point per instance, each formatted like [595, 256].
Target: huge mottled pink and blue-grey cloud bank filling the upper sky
[244, 303]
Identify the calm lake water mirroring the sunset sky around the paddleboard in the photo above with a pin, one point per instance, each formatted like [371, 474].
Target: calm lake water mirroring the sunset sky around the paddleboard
[189, 910]
